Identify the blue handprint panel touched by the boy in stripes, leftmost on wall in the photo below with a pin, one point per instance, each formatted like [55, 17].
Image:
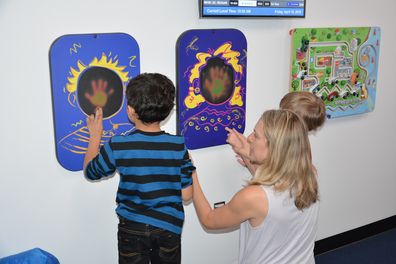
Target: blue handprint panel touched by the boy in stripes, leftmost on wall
[90, 71]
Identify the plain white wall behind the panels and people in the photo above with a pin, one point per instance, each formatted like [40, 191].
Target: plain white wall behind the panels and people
[43, 205]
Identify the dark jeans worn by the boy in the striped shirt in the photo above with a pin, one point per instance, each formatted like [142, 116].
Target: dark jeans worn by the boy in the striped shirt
[141, 243]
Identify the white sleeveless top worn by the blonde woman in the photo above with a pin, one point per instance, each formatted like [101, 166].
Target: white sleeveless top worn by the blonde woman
[287, 235]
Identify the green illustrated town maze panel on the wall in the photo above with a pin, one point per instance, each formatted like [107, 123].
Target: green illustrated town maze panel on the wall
[340, 65]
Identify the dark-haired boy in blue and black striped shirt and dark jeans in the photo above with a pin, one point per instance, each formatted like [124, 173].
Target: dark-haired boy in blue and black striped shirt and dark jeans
[155, 173]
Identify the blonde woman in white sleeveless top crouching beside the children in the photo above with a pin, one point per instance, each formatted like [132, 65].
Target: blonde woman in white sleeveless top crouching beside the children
[277, 211]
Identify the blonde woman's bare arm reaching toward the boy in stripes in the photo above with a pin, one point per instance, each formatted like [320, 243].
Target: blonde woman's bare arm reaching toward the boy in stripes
[246, 204]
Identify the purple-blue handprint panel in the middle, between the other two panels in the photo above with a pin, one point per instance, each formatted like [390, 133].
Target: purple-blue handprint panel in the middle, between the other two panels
[211, 82]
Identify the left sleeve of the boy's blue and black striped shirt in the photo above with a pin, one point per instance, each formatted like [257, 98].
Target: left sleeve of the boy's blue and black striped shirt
[102, 165]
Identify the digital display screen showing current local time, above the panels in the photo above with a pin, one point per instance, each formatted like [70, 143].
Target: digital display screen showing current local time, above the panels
[250, 8]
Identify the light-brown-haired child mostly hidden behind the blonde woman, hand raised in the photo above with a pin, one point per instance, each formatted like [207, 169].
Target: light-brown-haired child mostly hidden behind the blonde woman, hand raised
[309, 107]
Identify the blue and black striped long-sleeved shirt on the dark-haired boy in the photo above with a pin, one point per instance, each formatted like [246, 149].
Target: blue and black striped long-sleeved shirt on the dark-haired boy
[153, 168]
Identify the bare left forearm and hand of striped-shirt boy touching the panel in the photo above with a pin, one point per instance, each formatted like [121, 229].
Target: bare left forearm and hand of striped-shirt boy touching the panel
[95, 127]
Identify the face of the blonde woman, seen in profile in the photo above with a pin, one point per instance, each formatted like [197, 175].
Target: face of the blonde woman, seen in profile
[258, 144]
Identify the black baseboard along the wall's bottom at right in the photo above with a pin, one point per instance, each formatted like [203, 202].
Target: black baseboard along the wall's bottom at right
[345, 238]
